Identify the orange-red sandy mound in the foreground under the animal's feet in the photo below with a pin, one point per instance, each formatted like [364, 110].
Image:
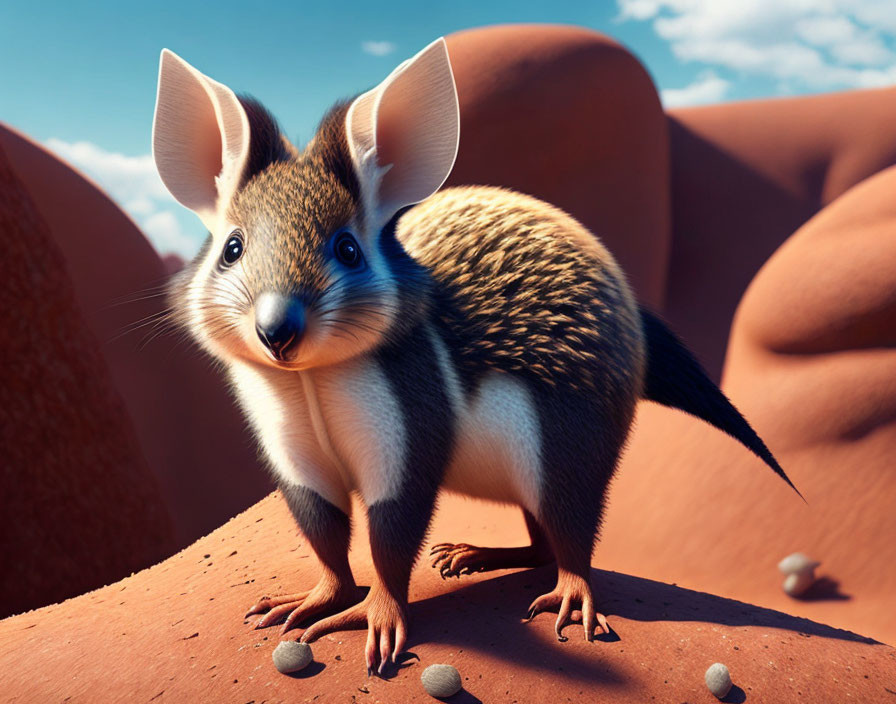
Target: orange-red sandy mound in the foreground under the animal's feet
[176, 633]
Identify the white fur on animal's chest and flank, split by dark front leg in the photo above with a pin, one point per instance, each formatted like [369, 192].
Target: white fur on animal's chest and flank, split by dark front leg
[340, 429]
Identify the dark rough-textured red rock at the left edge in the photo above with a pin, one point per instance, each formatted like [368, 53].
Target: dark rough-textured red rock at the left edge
[79, 507]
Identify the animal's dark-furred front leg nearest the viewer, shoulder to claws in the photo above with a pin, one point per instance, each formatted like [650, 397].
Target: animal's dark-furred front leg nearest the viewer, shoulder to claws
[401, 504]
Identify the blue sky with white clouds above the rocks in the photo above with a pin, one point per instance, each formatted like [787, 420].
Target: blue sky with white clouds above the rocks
[82, 79]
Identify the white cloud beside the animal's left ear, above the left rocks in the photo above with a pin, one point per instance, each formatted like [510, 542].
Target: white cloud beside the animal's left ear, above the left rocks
[134, 183]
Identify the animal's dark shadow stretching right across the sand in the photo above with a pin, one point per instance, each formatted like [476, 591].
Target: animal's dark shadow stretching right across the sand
[487, 616]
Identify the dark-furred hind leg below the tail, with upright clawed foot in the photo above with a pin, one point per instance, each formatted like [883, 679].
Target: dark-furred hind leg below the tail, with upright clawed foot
[580, 449]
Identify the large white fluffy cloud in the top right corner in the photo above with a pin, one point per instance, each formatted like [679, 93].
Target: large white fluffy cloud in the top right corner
[812, 44]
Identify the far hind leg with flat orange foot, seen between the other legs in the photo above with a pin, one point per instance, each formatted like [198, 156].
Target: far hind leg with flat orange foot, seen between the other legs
[454, 560]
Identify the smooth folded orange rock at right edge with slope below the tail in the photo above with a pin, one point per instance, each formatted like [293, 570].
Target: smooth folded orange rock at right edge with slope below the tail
[812, 365]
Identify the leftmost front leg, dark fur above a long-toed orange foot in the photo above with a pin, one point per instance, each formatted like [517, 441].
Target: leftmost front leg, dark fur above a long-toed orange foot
[328, 530]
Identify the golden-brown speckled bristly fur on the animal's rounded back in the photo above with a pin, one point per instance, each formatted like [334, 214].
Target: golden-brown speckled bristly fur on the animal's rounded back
[522, 287]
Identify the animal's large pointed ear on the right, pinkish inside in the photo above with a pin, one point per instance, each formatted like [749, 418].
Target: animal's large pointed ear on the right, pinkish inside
[403, 134]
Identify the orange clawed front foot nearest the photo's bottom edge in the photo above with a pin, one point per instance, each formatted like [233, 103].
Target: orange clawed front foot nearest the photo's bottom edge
[386, 622]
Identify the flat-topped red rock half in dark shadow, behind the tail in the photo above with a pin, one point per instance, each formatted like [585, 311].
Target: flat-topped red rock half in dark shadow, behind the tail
[745, 176]
